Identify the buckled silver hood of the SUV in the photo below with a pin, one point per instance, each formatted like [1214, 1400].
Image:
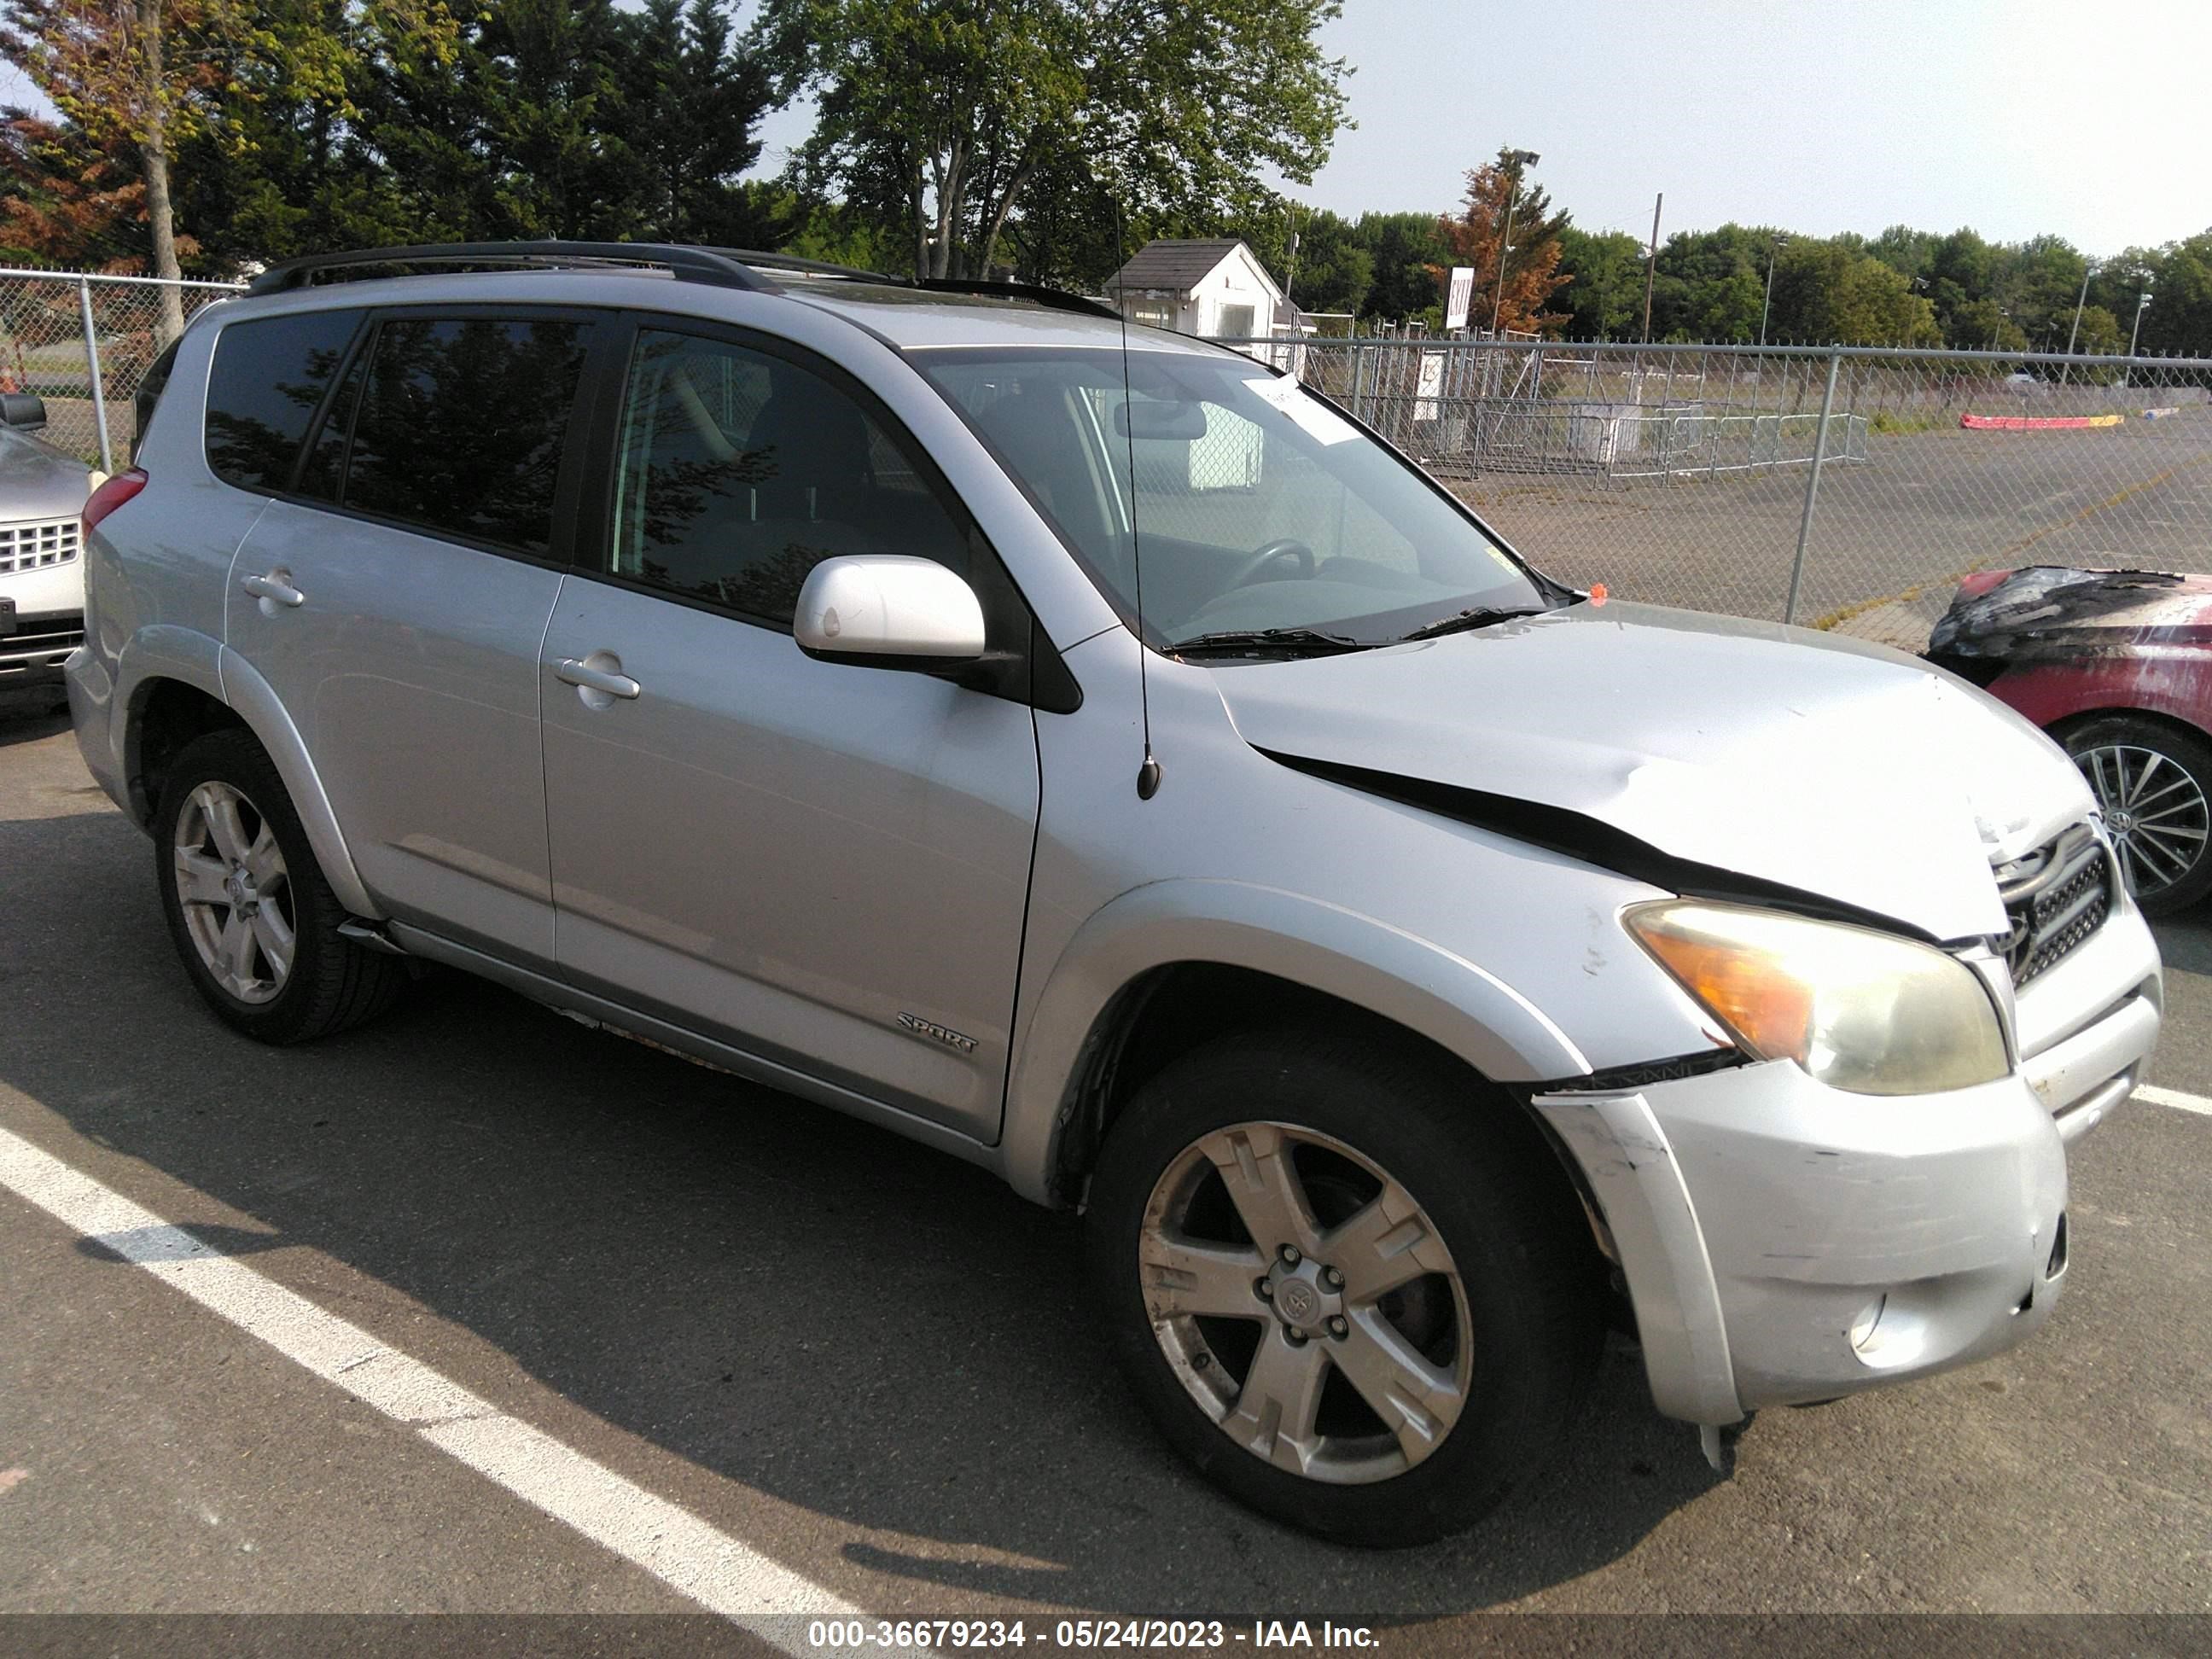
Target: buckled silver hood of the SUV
[1795, 760]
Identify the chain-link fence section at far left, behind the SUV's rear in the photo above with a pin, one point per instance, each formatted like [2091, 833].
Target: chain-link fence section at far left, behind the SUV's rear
[83, 344]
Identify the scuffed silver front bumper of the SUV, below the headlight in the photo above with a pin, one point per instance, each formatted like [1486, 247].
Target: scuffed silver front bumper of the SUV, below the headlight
[1786, 1242]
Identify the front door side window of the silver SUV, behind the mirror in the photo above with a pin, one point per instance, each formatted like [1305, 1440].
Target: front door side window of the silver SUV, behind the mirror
[740, 472]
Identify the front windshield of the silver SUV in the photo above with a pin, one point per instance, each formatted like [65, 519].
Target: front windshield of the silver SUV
[1260, 510]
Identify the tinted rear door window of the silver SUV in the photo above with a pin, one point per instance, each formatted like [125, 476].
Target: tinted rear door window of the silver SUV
[461, 426]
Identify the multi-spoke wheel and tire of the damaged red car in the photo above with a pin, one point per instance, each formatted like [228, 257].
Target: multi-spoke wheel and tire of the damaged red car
[2153, 784]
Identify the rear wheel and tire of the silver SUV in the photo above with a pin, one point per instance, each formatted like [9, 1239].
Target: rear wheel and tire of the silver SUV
[249, 908]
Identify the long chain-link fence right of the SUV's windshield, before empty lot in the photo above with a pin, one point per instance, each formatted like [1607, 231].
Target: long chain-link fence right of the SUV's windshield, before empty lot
[1830, 488]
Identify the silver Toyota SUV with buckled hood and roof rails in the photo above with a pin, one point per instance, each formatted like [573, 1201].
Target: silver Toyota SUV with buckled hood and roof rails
[1098, 758]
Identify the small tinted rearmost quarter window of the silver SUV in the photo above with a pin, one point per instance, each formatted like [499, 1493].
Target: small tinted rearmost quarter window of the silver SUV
[264, 390]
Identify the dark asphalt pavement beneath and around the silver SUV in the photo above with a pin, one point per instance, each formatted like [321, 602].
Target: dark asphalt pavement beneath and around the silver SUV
[866, 1366]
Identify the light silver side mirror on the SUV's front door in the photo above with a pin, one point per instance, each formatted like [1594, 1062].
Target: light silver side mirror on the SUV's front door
[888, 612]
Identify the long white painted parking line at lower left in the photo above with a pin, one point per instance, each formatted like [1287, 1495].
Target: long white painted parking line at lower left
[669, 1543]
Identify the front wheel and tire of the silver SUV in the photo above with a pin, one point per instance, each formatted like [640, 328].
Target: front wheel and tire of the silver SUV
[1346, 1286]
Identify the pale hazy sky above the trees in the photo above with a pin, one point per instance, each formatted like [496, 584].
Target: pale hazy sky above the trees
[2018, 118]
